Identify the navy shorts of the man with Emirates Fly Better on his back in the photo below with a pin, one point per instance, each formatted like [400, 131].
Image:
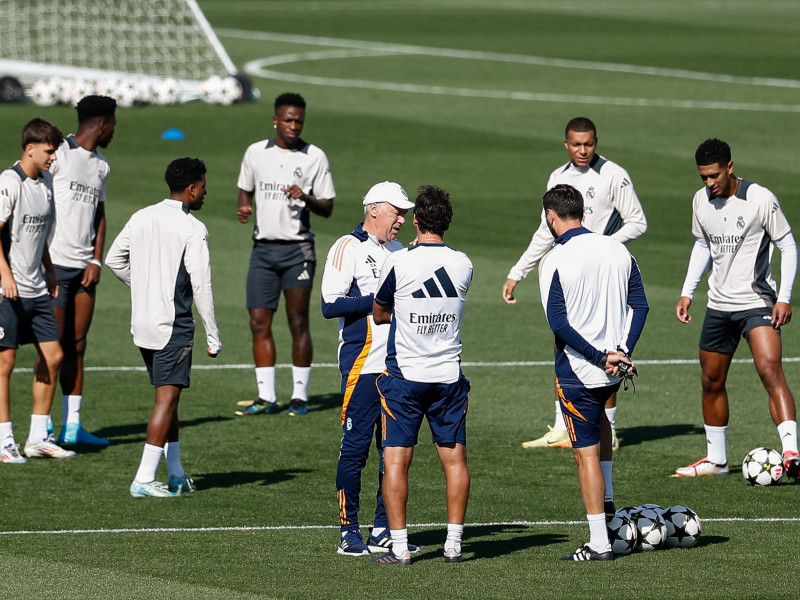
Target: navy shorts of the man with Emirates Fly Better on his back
[404, 404]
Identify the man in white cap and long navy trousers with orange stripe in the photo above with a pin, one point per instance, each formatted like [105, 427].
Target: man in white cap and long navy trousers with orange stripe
[349, 282]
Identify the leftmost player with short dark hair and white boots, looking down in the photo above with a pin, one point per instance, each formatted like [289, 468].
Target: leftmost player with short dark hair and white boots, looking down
[28, 284]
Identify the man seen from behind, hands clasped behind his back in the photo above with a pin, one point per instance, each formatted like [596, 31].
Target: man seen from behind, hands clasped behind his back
[588, 283]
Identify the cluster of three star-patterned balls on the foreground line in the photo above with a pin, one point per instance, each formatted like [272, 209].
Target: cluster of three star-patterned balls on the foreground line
[651, 527]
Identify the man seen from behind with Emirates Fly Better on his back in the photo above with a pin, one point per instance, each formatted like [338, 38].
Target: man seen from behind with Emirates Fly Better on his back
[421, 292]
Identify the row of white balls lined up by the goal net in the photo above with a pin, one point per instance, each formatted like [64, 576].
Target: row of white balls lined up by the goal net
[127, 92]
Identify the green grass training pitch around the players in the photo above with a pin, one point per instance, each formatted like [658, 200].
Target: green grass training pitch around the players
[471, 95]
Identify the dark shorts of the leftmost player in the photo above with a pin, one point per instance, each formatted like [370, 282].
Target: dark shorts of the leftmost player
[27, 320]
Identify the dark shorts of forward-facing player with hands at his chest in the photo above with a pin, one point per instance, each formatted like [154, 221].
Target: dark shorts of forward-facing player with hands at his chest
[277, 266]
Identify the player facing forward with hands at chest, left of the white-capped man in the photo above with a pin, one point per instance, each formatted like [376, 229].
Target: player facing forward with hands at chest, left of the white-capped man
[283, 180]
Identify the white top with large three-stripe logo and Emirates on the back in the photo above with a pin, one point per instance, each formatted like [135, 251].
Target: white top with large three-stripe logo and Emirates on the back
[426, 287]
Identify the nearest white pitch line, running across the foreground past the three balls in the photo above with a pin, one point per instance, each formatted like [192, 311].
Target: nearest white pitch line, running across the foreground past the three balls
[324, 527]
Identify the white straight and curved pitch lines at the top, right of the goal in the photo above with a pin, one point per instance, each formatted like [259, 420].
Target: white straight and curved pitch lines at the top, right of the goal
[357, 48]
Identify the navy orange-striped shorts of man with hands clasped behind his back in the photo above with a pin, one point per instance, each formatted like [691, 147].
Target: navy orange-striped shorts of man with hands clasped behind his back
[583, 408]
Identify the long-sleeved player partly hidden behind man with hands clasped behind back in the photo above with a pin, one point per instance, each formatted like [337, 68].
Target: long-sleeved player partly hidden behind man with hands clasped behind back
[611, 208]
